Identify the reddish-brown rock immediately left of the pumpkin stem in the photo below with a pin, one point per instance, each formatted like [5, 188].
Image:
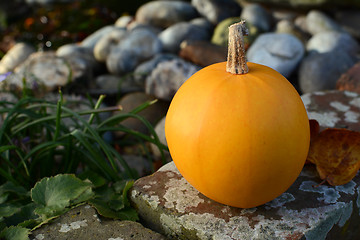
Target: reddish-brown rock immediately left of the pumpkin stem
[202, 53]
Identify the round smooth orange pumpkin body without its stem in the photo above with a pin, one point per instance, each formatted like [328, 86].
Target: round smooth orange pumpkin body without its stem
[241, 140]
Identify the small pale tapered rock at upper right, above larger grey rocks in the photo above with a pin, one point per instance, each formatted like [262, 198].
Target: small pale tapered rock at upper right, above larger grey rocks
[317, 21]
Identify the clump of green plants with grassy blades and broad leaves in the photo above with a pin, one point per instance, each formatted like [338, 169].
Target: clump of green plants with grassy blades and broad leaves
[54, 158]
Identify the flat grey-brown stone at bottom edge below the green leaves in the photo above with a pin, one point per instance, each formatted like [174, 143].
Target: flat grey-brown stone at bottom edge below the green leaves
[84, 223]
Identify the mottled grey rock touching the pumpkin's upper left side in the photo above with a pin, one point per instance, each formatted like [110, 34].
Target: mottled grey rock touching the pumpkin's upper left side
[167, 78]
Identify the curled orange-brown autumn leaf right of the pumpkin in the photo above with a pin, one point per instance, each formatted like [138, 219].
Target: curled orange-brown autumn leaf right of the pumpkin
[336, 153]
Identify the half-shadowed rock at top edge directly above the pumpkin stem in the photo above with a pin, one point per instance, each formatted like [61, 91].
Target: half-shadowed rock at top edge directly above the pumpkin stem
[217, 10]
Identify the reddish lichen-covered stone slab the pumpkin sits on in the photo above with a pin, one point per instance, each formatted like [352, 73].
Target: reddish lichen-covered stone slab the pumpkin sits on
[168, 204]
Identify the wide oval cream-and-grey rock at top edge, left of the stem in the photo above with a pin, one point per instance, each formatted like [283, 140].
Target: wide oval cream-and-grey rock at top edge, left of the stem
[163, 14]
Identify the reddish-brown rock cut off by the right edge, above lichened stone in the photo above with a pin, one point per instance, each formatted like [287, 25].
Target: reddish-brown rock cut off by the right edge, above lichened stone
[350, 81]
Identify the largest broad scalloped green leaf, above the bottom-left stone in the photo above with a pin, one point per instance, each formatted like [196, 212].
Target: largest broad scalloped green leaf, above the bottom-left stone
[57, 192]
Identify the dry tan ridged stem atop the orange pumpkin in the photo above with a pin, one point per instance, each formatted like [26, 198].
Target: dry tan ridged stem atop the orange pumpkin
[236, 60]
